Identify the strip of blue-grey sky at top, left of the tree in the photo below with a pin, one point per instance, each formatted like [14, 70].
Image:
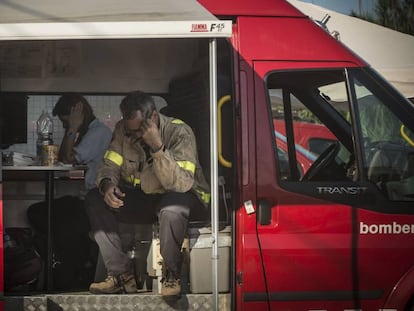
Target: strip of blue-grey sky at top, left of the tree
[345, 6]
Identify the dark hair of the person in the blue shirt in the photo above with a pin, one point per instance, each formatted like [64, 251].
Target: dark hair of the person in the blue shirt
[65, 104]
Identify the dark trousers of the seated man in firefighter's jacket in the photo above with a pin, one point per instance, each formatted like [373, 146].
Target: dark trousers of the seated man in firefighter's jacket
[172, 210]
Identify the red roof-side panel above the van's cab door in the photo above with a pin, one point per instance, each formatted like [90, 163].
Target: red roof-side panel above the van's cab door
[271, 38]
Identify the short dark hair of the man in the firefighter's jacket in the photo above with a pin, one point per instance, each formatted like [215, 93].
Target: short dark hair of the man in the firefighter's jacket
[135, 101]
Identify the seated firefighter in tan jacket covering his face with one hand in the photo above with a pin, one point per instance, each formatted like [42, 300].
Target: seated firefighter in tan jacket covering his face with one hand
[149, 171]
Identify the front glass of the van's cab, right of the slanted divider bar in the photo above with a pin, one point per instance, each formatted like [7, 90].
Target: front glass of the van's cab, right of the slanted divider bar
[388, 146]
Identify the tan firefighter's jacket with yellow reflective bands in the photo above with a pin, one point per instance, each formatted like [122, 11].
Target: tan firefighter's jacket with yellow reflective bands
[173, 168]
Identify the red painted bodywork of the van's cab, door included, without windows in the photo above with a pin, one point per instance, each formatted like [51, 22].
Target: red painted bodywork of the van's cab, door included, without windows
[316, 235]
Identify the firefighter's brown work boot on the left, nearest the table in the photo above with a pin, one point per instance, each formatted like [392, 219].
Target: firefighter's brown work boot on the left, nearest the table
[120, 284]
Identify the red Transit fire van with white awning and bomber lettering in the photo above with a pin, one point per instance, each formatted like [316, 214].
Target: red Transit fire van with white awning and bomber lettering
[339, 235]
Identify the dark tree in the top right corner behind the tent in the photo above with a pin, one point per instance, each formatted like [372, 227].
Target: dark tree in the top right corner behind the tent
[394, 14]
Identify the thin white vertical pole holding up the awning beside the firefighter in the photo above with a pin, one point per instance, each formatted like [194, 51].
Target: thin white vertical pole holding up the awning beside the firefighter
[214, 170]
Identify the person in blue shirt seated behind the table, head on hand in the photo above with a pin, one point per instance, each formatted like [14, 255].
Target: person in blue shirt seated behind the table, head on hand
[84, 143]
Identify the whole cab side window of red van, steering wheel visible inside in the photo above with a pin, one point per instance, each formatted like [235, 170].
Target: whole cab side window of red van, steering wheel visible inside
[321, 134]
